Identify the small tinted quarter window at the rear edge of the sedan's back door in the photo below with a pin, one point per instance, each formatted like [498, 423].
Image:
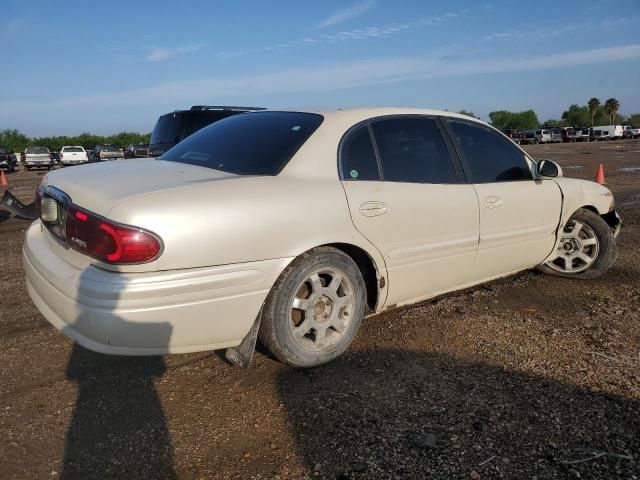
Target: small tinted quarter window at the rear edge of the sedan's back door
[357, 158]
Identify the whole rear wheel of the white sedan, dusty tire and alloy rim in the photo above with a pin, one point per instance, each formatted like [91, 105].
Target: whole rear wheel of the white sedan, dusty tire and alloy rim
[314, 310]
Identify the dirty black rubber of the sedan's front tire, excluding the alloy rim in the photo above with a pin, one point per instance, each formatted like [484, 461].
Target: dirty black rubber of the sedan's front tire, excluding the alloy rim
[607, 254]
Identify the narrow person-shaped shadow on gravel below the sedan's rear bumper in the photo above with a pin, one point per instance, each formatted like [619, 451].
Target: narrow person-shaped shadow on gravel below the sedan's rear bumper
[118, 428]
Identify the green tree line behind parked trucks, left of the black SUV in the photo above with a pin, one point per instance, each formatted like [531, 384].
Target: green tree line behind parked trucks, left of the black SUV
[16, 141]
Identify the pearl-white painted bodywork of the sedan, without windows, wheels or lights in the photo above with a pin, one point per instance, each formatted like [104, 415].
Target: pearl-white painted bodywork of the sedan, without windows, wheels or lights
[227, 238]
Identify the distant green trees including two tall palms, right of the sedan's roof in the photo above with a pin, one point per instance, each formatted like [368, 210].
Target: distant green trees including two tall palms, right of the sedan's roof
[593, 113]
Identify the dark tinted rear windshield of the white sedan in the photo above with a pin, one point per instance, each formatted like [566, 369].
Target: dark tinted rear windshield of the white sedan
[258, 143]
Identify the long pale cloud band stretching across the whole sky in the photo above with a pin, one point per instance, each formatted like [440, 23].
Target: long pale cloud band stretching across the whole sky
[288, 82]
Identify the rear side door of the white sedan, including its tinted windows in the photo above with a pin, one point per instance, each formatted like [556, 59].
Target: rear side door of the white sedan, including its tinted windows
[407, 196]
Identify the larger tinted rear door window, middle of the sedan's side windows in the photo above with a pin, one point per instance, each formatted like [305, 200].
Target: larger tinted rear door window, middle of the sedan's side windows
[412, 150]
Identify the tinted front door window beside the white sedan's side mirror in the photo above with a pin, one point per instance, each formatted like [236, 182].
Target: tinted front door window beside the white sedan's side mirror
[488, 156]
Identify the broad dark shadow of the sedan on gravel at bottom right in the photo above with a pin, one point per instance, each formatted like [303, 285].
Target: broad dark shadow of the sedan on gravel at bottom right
[400, 414]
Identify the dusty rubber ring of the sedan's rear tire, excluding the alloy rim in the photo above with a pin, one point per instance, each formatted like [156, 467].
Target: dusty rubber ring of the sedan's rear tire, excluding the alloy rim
[275, 333]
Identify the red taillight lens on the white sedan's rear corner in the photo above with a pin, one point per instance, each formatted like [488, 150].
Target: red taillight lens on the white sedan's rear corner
[107, 241]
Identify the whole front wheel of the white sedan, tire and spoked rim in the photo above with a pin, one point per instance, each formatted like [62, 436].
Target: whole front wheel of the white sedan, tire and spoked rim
[587, 248]
